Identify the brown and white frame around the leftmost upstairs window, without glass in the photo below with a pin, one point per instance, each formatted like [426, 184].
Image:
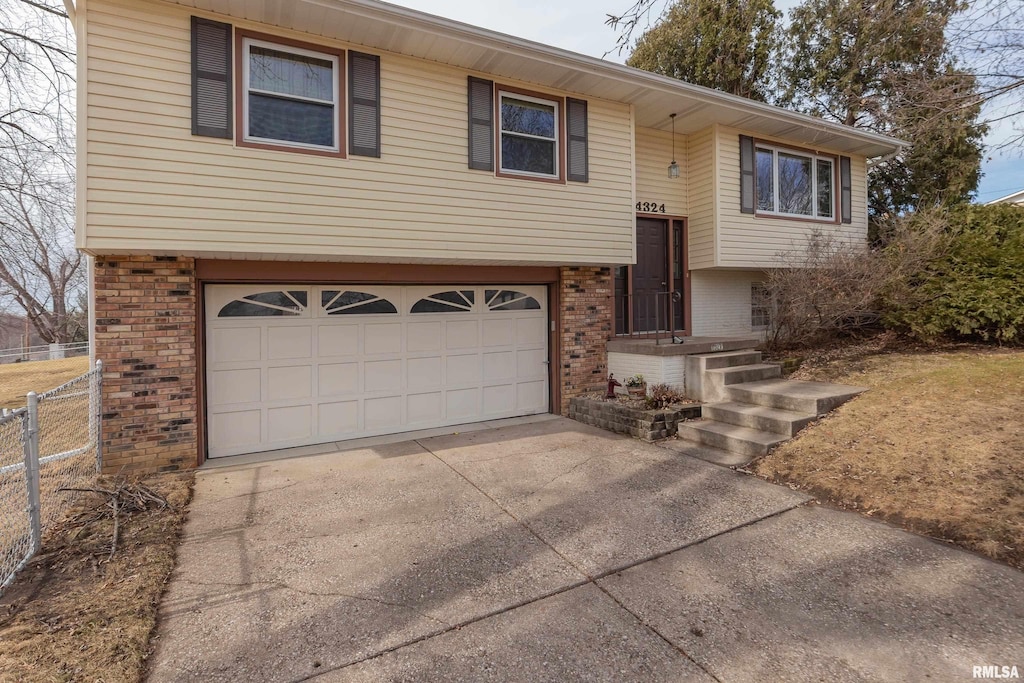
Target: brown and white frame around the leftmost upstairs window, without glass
[241, 65]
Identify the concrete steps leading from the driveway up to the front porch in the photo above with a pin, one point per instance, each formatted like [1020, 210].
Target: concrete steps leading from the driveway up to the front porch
[749, 409]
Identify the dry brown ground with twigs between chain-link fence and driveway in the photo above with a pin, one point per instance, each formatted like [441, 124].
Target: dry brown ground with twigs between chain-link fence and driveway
[76, 614]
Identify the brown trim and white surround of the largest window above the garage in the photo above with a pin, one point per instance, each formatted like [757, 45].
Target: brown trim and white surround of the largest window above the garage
[245, 38]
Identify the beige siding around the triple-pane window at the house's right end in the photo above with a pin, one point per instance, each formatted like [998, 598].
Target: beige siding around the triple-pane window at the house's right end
[755, 242]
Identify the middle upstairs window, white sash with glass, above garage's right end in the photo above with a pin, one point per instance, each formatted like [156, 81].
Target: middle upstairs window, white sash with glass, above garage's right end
[530, 134]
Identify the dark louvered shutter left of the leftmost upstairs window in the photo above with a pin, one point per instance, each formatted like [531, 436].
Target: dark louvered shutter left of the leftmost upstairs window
[211, 78]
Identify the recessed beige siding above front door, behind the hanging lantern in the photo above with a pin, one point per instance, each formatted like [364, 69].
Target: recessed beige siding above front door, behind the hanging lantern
[654, 184]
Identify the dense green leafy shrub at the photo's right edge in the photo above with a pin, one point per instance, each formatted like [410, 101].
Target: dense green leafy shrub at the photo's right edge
[975, 289]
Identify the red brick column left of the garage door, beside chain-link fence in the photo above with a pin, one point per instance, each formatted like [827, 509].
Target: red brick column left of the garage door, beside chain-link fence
[146, 336]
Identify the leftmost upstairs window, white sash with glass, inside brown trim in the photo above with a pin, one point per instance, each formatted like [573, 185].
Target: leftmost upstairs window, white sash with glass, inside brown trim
[290, 97]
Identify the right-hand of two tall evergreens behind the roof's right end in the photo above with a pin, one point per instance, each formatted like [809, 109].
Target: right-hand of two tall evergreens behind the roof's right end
[885, 66]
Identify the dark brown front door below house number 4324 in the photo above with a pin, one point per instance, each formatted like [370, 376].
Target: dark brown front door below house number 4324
[651, 276]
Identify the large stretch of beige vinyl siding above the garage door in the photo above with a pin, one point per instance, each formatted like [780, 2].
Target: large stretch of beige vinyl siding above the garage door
[154, 188]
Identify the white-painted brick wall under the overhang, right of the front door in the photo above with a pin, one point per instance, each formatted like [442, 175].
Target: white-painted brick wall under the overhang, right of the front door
[721, 302]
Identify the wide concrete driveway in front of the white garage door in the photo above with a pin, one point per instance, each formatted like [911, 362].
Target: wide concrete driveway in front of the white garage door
[553, 551]
